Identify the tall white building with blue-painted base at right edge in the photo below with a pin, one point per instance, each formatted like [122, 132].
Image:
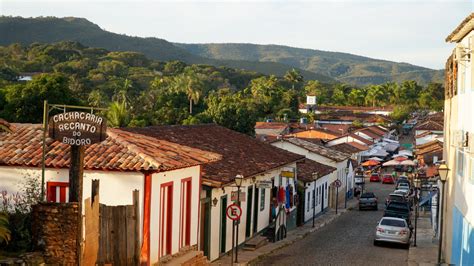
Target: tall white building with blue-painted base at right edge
[458, 203]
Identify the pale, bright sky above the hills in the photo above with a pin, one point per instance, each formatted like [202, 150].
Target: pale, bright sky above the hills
[396, 30]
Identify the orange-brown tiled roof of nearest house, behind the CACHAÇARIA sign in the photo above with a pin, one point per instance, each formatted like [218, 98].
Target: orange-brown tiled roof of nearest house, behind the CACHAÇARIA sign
[121, 151]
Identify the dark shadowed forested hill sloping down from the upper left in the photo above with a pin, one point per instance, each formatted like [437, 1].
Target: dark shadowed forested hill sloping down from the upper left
[51, 30]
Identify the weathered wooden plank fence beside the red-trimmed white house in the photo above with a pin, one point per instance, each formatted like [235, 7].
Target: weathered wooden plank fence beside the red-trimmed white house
[118, 233]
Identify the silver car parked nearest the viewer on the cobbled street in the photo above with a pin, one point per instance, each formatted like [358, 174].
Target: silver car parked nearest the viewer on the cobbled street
[394, 230]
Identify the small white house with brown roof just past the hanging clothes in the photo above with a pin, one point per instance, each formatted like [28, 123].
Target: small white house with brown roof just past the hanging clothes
[314, 177]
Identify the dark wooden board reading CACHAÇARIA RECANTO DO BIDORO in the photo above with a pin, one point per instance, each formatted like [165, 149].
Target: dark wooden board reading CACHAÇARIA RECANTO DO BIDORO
[77, 128]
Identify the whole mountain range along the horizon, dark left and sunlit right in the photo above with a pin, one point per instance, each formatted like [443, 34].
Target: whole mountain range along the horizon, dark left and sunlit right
[325, 66]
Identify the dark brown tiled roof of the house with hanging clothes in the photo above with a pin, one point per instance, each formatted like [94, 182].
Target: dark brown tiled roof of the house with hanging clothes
[241, 154]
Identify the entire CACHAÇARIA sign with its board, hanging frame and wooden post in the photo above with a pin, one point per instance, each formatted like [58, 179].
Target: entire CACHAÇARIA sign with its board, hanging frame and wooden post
[77, 129]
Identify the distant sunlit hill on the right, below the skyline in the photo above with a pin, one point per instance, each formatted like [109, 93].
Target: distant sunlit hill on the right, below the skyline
[343, 67]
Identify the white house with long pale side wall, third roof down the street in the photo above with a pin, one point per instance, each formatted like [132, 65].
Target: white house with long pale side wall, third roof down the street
[323, 155]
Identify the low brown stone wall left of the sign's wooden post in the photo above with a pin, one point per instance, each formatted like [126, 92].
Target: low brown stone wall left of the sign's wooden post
[54, 227]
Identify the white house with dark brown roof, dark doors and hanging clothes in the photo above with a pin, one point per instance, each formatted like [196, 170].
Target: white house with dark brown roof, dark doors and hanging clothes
[257, 162]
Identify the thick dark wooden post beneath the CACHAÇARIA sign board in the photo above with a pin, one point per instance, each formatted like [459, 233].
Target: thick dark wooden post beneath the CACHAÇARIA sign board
[76, 172]
